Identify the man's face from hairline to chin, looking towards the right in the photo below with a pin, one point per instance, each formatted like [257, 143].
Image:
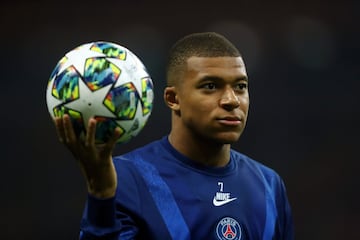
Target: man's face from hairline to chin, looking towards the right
[213, 99]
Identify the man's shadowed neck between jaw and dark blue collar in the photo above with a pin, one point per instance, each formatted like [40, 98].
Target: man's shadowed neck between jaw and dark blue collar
[203, 151]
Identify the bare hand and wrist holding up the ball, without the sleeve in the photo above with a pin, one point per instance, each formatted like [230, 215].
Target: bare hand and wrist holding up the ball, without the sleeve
[95, 161]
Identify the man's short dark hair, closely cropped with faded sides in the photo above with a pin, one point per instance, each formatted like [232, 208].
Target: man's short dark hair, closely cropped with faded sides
[204, 44]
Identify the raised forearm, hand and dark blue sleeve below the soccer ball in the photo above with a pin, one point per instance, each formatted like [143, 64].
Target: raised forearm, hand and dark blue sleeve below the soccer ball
[100, 220]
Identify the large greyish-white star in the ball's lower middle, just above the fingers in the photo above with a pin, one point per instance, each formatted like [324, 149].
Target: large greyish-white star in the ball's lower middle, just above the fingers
[90, 103]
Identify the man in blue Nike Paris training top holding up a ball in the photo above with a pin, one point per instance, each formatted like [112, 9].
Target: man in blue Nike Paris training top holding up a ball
[189, 184]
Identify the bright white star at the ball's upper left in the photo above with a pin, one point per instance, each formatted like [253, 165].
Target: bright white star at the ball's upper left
[78, 57]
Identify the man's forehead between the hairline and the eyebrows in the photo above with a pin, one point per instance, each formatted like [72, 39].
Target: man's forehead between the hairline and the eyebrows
[223, 66]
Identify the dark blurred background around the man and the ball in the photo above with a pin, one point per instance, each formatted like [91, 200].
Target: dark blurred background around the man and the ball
[303, 62]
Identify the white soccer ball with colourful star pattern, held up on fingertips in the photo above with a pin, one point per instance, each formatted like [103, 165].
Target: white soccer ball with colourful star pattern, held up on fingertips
[106, 81]
